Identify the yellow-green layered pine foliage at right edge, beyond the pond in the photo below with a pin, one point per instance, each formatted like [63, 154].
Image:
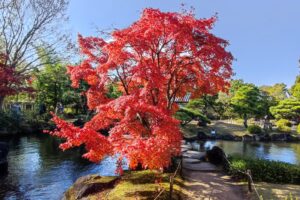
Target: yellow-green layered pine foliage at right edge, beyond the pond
[286, 109]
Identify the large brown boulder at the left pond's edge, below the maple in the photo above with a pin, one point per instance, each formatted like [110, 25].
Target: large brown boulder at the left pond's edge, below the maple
[87, 185]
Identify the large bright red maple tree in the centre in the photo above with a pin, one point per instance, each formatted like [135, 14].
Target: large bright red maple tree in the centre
[161, 56]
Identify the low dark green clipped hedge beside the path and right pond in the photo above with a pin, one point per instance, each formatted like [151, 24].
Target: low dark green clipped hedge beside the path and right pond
[265, 170]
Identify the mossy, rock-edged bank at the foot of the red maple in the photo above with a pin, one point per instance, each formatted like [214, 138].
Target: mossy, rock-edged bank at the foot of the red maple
[132, 185]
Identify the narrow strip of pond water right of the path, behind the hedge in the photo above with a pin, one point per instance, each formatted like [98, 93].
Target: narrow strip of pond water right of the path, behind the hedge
[280, 151]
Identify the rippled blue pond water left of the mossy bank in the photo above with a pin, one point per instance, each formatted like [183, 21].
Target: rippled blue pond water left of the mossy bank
[39, 170]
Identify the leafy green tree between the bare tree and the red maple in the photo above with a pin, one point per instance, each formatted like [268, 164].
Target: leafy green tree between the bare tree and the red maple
[53, 85]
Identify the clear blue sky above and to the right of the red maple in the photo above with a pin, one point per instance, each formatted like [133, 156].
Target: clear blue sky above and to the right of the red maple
[264, 35]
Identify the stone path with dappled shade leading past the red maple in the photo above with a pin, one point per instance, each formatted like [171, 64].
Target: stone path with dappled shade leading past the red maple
[203, 180]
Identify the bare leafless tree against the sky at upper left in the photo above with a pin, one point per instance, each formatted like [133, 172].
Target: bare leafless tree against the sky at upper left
[24, 26]
